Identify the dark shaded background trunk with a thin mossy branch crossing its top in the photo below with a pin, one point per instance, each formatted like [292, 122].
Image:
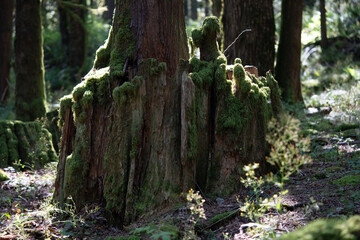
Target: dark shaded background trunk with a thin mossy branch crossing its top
[72, 17]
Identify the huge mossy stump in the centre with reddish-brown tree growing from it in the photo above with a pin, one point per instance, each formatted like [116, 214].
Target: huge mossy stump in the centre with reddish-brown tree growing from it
[138, 131]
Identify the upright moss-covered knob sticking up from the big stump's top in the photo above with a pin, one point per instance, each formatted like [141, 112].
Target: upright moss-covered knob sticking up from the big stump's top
[205, 39]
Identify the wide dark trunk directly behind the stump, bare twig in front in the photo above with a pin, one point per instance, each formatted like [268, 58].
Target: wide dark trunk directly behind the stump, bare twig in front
[256, 47]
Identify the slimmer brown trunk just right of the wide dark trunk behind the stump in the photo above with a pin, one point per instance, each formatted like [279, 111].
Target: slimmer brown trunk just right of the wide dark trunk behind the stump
[288, 58]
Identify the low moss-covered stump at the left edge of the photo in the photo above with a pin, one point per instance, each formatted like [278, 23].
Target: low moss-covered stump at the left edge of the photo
[25, 144]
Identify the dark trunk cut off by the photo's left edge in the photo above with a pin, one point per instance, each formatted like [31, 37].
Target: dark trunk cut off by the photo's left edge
[6, 17]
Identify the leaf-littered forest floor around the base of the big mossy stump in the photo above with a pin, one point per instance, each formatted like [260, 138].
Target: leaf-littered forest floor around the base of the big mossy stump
[327, 187]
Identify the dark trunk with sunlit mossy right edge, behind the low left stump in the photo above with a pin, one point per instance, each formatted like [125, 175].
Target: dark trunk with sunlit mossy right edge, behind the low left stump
[30, 101]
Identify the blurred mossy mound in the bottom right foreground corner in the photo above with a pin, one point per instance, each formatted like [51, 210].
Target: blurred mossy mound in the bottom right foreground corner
[328, 229]
